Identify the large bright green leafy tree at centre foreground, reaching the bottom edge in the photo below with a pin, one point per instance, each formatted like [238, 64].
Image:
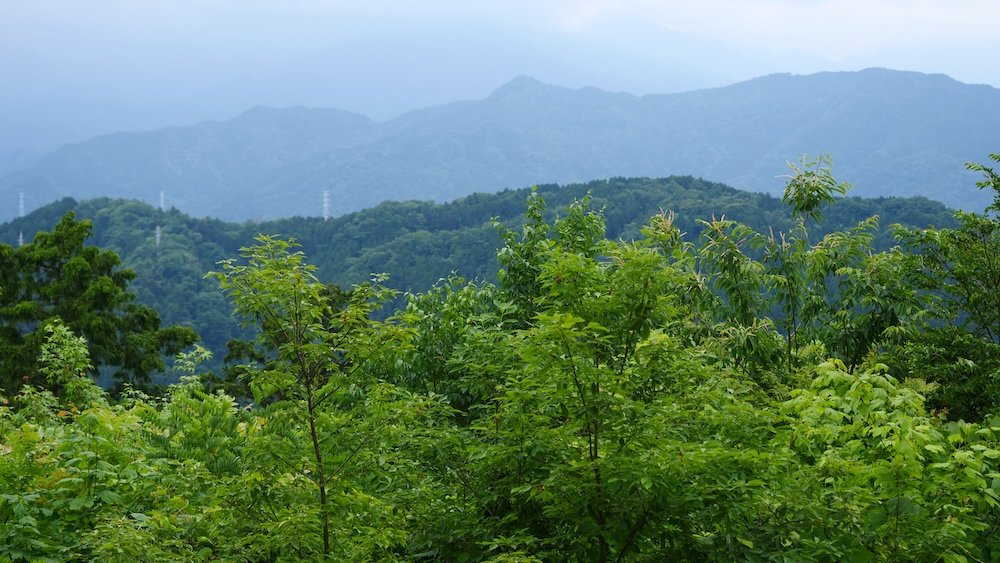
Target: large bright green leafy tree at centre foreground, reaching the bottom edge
[576, 459]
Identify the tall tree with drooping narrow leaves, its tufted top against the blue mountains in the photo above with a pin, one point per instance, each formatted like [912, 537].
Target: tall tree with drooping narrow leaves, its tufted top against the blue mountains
[765, 289]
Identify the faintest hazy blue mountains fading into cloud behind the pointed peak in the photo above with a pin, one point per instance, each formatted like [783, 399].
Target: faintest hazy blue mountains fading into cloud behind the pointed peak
[382, 72]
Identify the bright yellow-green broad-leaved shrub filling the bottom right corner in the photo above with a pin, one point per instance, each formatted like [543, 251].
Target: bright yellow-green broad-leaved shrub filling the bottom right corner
[888, 480]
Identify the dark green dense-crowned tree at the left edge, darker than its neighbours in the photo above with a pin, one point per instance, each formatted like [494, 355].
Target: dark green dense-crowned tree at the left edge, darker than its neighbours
[57, 277]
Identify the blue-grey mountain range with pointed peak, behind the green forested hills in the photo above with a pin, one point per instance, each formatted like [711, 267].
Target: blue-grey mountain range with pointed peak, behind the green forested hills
[889, 133]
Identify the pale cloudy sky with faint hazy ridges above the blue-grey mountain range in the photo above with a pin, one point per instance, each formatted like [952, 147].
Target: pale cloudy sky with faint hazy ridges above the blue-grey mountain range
[71, 68]
